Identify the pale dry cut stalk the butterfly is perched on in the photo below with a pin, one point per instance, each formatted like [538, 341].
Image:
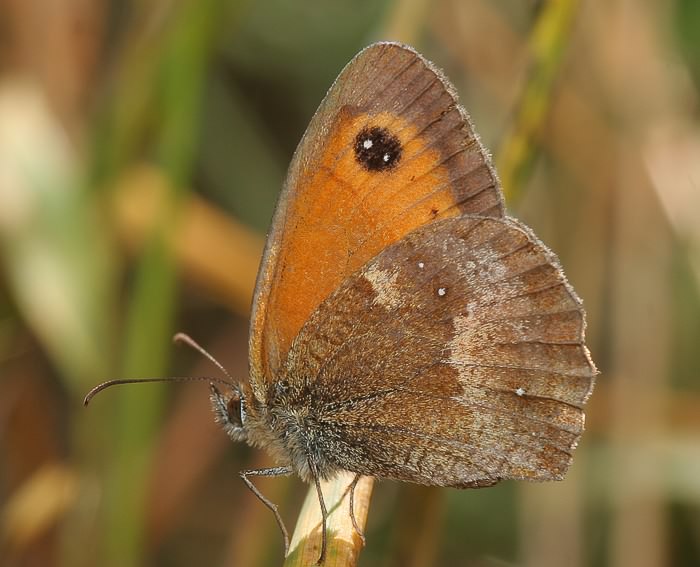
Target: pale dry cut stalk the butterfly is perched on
[344, 543]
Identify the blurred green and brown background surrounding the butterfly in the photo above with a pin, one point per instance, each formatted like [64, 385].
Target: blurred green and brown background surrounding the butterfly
[142, 147]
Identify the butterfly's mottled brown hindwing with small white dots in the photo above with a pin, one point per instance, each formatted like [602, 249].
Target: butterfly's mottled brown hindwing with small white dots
[471, 315]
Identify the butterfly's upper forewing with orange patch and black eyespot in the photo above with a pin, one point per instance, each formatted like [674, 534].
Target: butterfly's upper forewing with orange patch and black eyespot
[389, 150]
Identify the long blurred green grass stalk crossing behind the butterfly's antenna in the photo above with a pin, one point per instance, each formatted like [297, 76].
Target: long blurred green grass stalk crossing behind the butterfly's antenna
[179, 70]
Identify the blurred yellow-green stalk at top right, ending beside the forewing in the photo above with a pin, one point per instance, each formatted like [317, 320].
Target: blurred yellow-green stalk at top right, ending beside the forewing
[547, 45]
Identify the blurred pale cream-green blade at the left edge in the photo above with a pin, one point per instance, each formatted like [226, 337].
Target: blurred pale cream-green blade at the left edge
[57, 262]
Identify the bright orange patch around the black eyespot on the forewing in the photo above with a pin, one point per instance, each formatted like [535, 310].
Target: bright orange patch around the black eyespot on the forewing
[350, 214]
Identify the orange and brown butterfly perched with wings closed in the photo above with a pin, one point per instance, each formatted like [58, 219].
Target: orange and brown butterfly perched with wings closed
[403, 326]
